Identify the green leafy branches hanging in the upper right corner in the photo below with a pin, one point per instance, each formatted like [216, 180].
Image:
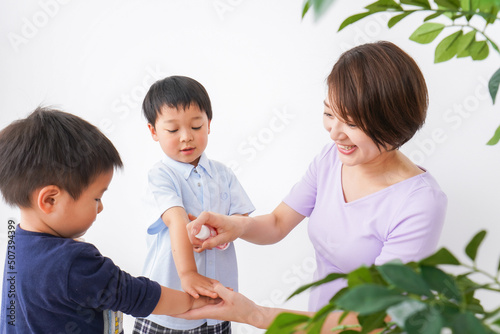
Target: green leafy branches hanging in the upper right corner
[468, 20]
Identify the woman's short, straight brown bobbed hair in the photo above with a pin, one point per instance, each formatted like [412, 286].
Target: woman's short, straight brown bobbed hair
[380, 88]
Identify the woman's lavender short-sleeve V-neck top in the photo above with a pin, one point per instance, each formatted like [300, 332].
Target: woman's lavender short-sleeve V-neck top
[403, 221]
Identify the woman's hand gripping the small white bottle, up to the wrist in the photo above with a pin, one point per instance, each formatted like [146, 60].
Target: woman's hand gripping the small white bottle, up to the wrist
[229, 228]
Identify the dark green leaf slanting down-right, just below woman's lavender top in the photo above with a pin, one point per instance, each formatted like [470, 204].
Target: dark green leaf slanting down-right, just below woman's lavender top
[405, 279]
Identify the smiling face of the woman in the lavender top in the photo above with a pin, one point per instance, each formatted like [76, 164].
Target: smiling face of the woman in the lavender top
[354, 146]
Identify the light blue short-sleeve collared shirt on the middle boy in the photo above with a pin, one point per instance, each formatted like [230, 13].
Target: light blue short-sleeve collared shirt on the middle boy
[210, 186]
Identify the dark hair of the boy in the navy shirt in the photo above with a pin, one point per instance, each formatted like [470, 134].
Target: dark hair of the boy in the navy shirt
[51, 147]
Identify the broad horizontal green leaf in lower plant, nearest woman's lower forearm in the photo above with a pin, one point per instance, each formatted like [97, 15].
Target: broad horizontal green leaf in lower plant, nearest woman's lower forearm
[369, 298]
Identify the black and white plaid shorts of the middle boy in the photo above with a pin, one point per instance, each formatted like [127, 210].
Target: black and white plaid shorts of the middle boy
[144, 326]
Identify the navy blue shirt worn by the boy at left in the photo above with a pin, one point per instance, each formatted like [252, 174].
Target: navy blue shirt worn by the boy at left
[56, 285]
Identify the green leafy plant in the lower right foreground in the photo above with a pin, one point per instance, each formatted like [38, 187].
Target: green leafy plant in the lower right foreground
[414, 298]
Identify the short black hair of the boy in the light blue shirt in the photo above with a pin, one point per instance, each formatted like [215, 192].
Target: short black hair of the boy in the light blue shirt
[175, 92]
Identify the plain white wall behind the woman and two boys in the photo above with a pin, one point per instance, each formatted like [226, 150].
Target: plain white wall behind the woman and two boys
[265, 71]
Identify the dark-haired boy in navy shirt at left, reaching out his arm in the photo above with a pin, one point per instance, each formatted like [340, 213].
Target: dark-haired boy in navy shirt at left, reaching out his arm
[56, 167]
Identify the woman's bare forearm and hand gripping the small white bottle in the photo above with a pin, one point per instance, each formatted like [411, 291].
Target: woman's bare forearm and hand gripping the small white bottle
[263, 230]
